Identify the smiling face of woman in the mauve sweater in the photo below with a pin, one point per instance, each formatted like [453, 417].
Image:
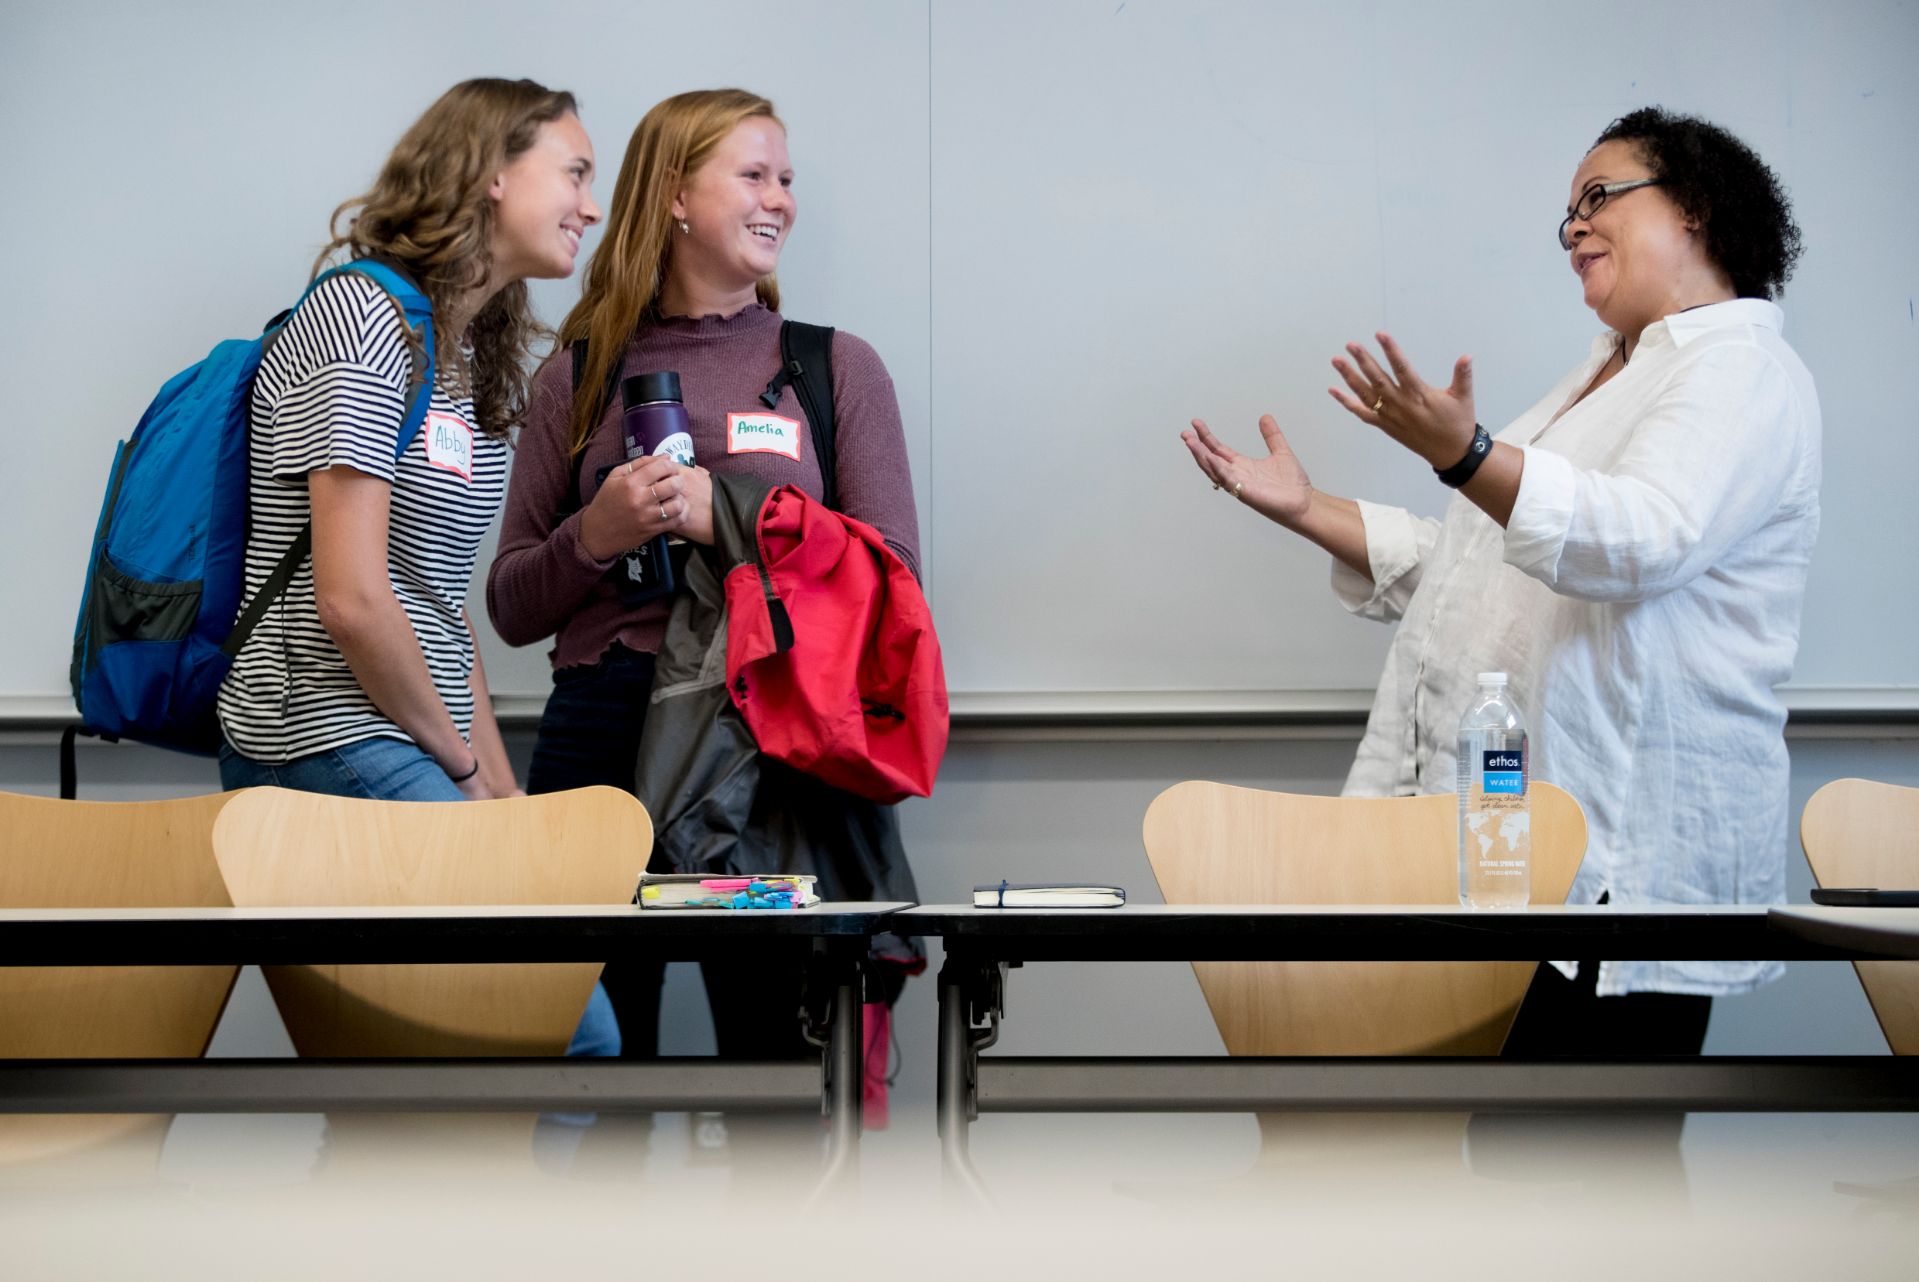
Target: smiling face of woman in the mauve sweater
[738, 210]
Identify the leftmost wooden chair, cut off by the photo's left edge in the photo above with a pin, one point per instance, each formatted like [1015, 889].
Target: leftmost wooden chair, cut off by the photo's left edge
[107, 855]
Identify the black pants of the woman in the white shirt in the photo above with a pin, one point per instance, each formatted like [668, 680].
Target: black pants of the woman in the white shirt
[1567, 1020]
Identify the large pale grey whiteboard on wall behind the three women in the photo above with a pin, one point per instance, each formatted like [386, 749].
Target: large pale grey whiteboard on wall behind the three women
[1068, 229]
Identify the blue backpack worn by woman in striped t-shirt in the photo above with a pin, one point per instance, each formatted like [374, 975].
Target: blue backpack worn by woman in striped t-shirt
[160, 615]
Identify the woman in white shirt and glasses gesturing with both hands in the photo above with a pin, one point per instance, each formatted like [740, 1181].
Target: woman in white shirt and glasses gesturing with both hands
[1632, 552]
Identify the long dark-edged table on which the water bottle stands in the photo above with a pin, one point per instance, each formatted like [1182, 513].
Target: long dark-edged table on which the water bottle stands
[985, 943]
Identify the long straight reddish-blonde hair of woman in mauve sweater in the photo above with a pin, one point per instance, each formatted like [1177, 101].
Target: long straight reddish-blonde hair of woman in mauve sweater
[623, 285]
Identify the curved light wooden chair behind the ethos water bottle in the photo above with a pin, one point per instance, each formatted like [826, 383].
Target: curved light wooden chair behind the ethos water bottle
[1212, 843]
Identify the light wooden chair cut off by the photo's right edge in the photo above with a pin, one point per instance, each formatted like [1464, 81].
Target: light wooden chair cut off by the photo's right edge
[1862, 834]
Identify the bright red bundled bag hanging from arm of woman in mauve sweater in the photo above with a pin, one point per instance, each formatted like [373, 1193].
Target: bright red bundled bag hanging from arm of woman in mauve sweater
[832, 657]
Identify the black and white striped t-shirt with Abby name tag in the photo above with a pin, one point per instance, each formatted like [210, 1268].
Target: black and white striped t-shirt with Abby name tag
[333, 391]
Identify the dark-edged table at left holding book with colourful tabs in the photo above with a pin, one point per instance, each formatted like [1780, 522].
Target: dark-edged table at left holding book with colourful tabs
[840, 936]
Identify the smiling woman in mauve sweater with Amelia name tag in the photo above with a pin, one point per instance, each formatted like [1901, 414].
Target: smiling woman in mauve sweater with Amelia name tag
[684, 281]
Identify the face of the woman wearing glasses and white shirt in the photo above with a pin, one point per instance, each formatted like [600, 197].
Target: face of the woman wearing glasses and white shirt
[1638, 258]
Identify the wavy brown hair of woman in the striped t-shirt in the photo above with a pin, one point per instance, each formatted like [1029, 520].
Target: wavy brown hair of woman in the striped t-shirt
[429, 212]
